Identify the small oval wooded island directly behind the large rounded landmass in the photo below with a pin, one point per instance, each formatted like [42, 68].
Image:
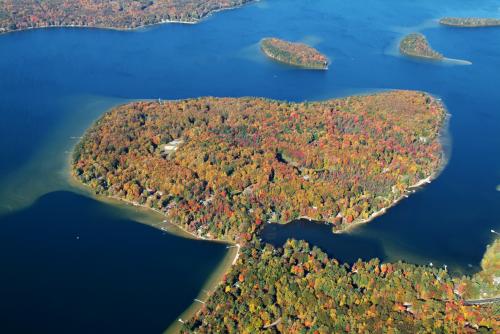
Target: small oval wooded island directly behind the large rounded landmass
[296, 54]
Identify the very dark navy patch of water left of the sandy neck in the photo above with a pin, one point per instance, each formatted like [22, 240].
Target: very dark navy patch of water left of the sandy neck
[71, 264]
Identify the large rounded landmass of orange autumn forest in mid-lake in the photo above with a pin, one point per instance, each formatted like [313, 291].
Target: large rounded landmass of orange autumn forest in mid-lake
[244, 162]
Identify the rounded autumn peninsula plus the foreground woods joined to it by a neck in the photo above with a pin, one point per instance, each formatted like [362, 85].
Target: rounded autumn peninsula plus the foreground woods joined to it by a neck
[222, 167]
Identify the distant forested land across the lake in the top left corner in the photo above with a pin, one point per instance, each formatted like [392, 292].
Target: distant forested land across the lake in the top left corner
[115, 14]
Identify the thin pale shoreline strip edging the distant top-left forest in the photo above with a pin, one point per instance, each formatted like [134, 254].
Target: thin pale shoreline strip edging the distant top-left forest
[129, 29]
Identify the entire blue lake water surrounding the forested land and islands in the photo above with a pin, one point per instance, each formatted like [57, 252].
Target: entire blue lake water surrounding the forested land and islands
[55, 82]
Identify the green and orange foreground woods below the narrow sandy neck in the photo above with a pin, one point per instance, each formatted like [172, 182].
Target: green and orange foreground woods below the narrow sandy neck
[298, 289]
